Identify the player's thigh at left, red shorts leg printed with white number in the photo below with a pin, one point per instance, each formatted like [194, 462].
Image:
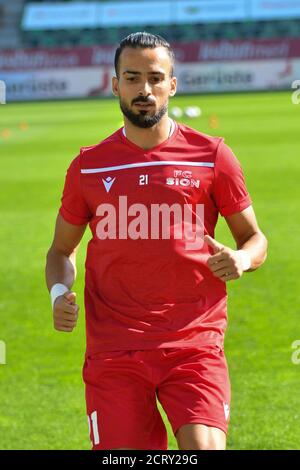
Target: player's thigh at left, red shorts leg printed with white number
[121, 403]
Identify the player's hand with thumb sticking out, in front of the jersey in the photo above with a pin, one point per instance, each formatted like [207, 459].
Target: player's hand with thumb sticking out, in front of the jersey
[225, 263]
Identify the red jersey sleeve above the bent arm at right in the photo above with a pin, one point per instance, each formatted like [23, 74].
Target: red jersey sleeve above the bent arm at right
[230, 191]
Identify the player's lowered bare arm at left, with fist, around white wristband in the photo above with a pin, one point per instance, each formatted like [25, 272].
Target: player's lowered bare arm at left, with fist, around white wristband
[61, 269]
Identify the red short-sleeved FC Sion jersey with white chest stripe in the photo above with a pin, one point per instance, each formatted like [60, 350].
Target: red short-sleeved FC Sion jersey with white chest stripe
[148, 291]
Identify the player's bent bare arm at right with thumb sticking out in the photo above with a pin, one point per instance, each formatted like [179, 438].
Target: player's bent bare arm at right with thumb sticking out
[251, 243]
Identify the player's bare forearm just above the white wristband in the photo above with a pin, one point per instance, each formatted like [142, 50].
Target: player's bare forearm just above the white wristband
[60, 268]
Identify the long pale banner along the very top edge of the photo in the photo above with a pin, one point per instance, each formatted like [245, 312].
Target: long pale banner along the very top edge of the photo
[105, 14]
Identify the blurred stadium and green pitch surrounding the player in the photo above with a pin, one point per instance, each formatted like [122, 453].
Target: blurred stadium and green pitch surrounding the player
[54, 58]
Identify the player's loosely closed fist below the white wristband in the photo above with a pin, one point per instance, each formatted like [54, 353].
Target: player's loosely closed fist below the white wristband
[65, 312]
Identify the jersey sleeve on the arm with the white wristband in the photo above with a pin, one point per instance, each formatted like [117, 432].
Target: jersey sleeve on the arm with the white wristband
[74, 208]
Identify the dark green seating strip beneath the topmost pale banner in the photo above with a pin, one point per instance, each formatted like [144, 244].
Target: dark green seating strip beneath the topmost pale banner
[12, 36]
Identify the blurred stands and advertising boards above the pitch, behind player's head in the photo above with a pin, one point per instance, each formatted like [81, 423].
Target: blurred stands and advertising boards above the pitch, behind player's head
[66, 49]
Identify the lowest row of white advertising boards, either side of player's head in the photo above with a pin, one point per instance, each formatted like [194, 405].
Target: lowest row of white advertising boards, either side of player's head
[84, 82]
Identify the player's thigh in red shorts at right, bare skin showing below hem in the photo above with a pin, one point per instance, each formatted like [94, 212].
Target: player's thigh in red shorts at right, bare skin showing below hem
[195, 395]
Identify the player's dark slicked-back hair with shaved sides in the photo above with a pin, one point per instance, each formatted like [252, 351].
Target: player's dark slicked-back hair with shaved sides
[143, 40]
